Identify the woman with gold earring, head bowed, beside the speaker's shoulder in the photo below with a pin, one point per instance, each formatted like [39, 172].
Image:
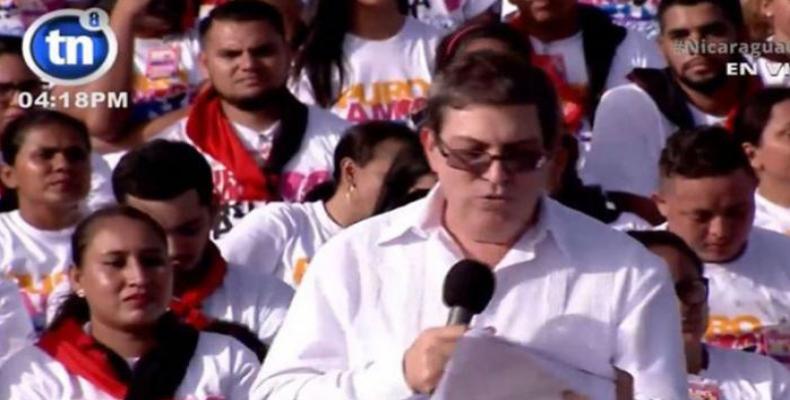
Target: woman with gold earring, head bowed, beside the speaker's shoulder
[281, 238]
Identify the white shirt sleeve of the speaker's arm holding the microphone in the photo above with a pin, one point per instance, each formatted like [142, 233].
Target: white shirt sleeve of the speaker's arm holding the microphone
[309, 359]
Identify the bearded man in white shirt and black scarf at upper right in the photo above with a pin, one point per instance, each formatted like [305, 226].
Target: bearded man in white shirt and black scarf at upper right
[633, 121]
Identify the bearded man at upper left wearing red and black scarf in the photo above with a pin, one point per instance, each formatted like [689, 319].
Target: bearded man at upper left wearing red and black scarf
[262, 143]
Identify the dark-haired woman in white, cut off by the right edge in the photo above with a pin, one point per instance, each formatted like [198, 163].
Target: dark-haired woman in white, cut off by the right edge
[763, 128]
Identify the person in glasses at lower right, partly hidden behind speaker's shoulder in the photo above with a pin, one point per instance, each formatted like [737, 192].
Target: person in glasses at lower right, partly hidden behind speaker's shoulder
[714, 373]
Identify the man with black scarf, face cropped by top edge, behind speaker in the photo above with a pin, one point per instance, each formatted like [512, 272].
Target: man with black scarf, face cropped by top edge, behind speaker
[585, 51]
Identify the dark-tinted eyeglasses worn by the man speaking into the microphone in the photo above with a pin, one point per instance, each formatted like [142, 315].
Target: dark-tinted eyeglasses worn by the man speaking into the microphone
[478, 161]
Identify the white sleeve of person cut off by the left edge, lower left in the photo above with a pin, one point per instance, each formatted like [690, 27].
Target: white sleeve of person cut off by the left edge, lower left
[16, 329]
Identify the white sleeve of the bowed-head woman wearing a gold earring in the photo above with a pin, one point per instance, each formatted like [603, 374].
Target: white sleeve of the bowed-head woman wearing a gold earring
[258, 241]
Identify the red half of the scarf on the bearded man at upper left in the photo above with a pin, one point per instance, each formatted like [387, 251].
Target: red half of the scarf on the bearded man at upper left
[212, 133]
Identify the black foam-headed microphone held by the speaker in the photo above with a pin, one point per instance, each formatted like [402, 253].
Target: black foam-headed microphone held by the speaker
[468, 288]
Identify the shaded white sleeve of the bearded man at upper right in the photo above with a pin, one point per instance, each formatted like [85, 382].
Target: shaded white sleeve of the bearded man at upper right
[626, 143]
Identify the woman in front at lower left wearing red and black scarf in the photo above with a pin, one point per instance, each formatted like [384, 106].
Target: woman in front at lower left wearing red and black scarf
[114, 337]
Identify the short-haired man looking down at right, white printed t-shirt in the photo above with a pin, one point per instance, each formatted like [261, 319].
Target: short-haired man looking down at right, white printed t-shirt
[707, 196]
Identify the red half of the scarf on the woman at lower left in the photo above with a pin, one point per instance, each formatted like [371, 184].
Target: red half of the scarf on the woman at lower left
[78, 353]
